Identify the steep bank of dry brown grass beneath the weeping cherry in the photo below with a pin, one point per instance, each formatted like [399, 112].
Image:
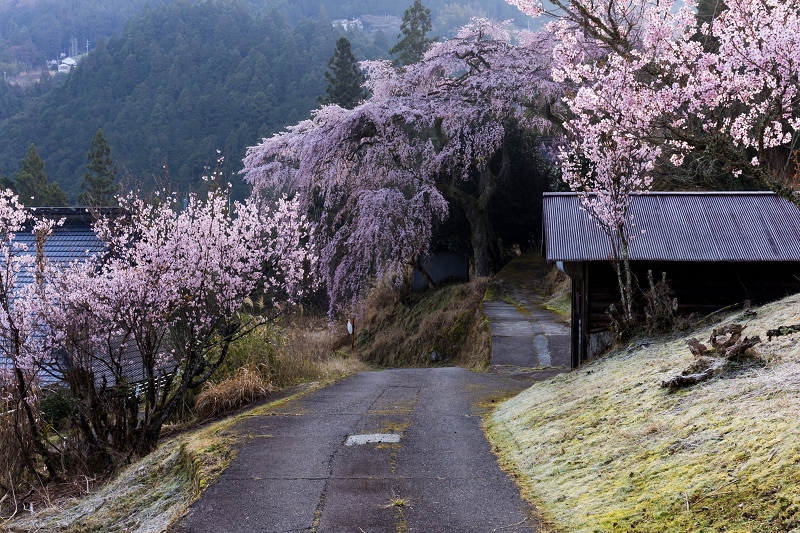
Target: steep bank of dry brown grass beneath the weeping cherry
[427, 327]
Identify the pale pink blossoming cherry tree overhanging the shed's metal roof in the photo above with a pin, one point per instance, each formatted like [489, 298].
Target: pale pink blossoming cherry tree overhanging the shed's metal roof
[651, 98]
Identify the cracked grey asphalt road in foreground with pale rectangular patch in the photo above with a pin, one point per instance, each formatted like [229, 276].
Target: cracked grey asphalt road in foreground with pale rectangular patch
[390, 451]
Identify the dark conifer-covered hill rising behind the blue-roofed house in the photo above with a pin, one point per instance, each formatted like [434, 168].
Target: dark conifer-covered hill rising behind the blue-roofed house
[181, 82]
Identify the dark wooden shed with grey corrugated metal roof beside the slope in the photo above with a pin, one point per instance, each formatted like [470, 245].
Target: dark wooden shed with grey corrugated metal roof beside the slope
[717, 249]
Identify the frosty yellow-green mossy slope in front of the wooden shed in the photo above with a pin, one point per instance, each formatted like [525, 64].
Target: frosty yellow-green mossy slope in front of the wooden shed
[607, 449]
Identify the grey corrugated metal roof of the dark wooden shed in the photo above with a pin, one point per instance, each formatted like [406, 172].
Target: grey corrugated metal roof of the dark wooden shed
[706, 226]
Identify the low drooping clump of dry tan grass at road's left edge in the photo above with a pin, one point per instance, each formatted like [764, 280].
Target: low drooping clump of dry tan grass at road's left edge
[244, 388]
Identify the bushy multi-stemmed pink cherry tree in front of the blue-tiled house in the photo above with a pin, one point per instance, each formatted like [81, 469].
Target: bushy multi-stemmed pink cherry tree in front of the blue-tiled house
[178, 286]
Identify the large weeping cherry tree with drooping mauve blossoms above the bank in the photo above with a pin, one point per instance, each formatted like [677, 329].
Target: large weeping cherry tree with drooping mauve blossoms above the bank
[381, 176]
